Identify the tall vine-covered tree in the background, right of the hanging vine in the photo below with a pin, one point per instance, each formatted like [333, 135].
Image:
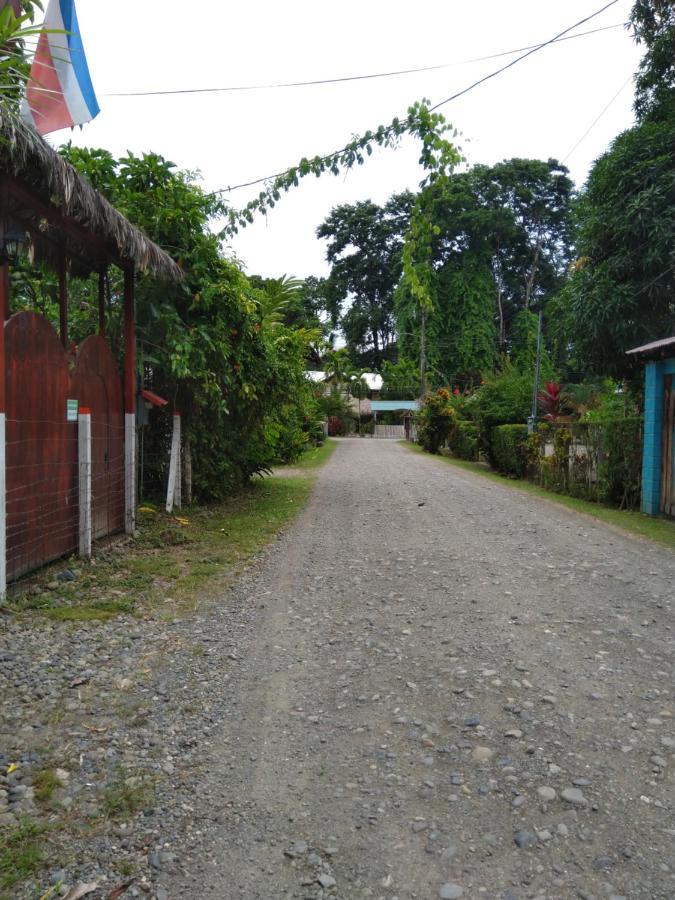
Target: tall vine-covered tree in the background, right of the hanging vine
[500, 245]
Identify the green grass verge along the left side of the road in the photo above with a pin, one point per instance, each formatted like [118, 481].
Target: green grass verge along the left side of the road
[175, 556]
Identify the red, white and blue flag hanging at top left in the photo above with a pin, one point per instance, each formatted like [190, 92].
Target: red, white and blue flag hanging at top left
[59, 93]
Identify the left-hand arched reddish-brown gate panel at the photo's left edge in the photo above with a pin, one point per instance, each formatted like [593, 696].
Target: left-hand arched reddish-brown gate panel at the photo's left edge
[41, 446]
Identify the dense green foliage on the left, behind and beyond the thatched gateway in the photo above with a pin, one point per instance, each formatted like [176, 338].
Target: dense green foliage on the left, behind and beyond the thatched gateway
[216, 346]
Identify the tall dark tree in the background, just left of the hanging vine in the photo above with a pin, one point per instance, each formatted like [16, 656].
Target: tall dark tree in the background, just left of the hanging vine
[364, 249]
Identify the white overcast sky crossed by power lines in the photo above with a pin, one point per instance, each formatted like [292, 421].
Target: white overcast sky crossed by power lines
[540, 108]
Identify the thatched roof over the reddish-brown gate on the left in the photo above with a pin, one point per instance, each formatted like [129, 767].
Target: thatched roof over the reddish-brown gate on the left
[94, 232]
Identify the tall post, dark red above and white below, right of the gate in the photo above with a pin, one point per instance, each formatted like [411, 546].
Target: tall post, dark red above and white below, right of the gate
[129, 402]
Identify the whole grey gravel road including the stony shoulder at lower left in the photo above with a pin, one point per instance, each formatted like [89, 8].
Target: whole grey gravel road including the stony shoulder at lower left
[431, 686]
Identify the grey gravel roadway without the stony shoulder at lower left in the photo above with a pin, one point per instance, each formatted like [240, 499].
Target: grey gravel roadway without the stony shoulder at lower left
[436, 686]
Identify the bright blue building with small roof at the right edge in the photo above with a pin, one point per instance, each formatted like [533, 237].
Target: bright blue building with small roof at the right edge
[658, 458]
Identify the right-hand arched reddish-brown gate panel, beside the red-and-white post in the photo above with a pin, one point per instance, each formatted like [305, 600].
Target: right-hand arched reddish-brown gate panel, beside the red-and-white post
[96, 384]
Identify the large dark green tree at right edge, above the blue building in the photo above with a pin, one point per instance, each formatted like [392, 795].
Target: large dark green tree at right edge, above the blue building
[622, 292]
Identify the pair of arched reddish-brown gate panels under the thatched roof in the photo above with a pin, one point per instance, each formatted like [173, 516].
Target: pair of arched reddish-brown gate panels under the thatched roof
[42, 488]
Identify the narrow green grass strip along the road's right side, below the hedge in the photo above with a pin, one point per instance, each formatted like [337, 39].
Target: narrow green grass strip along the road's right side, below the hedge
[654, 529]
